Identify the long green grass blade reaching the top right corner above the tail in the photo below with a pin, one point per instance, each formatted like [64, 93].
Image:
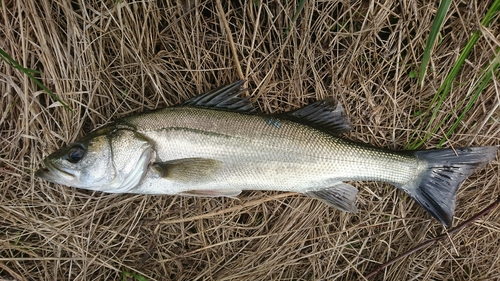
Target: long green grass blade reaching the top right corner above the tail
[444, 89]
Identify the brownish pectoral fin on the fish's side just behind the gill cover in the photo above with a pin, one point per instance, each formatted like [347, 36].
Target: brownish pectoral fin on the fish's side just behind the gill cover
[188, 169]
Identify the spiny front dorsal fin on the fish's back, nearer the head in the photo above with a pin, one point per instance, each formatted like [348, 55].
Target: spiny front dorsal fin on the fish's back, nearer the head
[225, 97]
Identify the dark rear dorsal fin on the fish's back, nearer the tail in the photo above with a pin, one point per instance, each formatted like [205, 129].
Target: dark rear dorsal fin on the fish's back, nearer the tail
[326, 115]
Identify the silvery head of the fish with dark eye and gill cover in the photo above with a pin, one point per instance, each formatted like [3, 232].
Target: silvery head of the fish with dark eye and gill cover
[110, 159]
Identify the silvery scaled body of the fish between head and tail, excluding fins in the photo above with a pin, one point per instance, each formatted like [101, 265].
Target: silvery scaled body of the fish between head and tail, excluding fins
[263, 153]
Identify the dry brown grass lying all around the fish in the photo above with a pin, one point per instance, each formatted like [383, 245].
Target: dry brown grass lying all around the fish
[110, 59]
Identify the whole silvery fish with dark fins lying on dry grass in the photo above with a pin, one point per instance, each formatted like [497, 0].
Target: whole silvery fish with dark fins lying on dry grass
[218, 144]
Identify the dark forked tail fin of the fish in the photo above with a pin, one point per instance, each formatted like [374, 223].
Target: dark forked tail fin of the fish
[435, 190]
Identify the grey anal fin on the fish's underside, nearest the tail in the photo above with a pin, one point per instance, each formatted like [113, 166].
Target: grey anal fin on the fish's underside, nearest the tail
[340, 196]
